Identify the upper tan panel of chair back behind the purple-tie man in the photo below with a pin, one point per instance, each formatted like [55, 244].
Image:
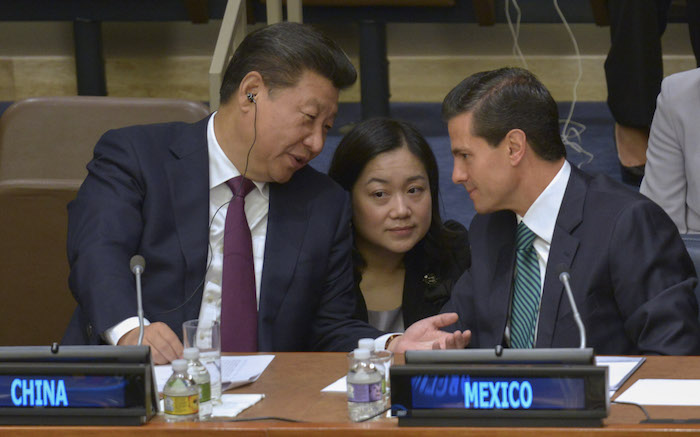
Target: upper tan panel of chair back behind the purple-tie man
[53, 137]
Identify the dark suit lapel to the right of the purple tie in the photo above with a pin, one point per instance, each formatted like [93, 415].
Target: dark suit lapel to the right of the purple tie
[286, 229]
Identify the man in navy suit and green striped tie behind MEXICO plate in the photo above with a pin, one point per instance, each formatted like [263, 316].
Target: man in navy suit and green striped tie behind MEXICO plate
[631, 276]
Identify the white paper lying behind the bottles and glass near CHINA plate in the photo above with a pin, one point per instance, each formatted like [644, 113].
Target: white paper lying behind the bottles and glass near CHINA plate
[235, 371]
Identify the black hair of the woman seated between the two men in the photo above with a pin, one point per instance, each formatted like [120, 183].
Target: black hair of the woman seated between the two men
[371, 138]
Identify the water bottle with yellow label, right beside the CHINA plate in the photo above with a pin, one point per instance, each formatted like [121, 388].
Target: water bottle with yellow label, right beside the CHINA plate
[181, 395]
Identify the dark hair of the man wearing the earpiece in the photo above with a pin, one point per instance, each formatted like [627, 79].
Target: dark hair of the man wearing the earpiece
[281, 53]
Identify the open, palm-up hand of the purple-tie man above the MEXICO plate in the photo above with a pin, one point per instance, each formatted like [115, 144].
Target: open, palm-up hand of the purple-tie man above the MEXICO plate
[426, 334]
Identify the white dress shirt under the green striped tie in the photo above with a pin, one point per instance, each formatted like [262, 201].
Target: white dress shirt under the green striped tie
[541, 218]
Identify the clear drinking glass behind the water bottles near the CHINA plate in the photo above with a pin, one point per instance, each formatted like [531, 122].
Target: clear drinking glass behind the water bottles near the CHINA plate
[207, 338]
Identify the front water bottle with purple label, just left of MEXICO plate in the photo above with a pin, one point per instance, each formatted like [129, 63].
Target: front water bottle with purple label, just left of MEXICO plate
[365, 398]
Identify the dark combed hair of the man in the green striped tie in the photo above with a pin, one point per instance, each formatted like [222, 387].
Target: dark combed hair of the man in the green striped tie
[505, 99]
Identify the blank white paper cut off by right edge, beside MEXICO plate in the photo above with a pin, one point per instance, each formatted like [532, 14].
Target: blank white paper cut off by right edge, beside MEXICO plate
[678, 392]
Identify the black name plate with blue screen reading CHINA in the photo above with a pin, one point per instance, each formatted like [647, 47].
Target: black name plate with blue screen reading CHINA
[76, 385]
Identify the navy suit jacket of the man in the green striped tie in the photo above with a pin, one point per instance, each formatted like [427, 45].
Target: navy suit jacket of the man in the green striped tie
[631, 276]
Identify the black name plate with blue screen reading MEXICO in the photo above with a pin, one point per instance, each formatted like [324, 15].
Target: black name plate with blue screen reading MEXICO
[500, 394]
